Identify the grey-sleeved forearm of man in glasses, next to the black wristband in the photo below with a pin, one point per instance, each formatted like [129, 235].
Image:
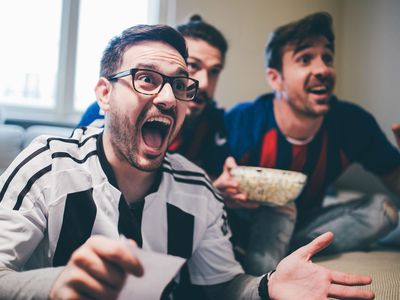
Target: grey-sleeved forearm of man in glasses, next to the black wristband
[241, 287]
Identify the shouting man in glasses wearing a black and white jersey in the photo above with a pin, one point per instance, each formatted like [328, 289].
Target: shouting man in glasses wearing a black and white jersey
[64, 202]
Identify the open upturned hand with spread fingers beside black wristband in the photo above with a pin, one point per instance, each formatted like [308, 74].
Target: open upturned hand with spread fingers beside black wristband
[296, 277]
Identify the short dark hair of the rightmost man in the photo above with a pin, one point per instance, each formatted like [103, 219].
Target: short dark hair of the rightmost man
[314, 25]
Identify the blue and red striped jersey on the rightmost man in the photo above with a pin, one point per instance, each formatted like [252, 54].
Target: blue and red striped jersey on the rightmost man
[348, 134]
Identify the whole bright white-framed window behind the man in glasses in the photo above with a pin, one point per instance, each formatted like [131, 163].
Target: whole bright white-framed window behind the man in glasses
[51, 58]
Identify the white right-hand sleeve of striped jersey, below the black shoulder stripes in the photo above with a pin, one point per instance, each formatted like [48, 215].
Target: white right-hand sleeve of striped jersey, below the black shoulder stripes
[213, 261]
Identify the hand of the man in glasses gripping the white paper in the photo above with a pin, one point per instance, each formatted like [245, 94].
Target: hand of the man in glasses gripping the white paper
[96, 270]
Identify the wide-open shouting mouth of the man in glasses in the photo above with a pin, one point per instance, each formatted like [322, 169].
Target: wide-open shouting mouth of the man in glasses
[155, 130]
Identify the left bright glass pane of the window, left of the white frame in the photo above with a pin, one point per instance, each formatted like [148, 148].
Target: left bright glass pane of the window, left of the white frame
[29, 54]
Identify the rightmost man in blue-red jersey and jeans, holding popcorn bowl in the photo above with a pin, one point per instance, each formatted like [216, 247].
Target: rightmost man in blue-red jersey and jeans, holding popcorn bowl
[304, 127]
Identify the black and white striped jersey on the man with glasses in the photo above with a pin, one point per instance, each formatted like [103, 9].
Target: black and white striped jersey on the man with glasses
[60, 191]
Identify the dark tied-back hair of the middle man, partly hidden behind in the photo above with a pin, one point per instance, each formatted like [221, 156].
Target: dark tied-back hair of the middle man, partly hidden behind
[196, 28]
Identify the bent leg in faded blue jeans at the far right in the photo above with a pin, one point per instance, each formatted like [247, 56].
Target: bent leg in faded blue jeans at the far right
[355, 224]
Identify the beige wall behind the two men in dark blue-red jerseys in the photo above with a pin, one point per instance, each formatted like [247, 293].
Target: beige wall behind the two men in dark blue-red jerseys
[367, 56]
